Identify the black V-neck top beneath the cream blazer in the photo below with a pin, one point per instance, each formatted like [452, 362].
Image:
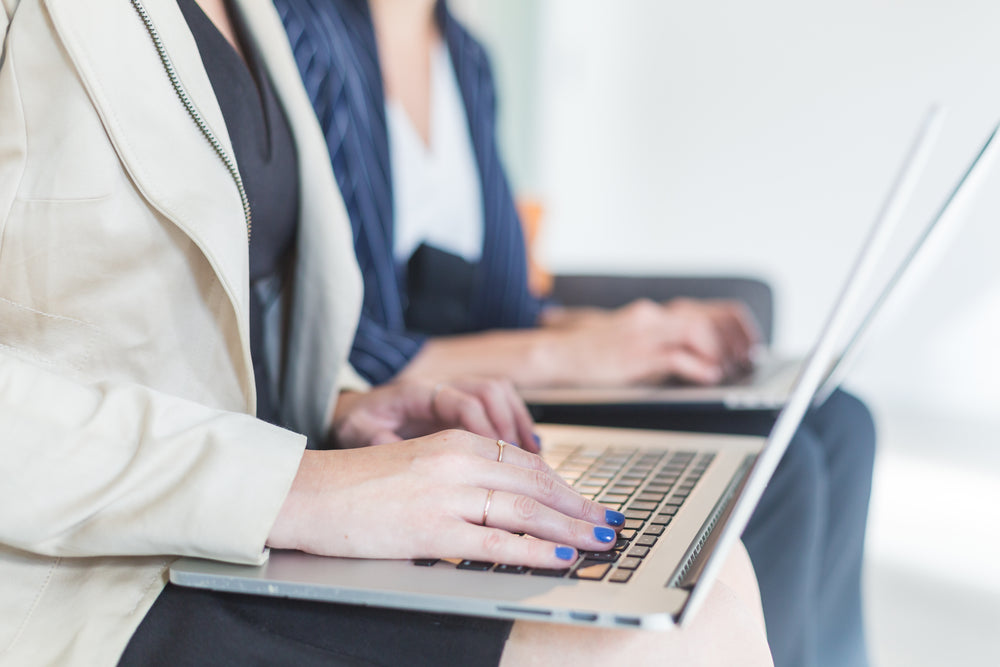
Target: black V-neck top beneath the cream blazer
[265, 155]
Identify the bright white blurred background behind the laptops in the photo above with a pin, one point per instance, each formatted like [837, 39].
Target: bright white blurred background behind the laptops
[759, 138]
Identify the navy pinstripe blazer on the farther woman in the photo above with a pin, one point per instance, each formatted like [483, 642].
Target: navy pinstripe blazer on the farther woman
[334, 46]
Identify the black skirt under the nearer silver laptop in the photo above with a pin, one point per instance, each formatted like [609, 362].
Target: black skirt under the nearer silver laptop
[188, 626]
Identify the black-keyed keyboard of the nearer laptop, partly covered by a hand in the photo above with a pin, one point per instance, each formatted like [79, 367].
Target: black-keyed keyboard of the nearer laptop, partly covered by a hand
[649, 487]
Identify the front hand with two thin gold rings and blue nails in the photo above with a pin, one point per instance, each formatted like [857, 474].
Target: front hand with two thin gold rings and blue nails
[427, 498]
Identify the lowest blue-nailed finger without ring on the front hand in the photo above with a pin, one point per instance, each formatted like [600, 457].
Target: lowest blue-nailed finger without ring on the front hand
[495, 545]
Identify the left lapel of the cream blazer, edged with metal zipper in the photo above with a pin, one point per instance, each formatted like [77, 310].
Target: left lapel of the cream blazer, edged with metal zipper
[168, 158]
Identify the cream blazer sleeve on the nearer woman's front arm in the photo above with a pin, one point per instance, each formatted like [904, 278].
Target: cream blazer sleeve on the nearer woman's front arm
[120, 469]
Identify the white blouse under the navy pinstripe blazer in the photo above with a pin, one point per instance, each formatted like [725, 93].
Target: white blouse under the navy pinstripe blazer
[437, 193]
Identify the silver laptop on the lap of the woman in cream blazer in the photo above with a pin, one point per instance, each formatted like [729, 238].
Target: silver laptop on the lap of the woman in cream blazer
[686, 497]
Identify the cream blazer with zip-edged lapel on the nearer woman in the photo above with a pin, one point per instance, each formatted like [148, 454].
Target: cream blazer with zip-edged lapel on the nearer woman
[125, 375]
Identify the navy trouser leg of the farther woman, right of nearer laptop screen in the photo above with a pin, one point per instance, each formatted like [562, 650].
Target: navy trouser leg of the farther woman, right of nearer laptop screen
[806, 538]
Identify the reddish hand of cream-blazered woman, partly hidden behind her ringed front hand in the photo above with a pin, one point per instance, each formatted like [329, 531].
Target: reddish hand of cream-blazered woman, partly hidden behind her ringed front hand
[412, 408]
